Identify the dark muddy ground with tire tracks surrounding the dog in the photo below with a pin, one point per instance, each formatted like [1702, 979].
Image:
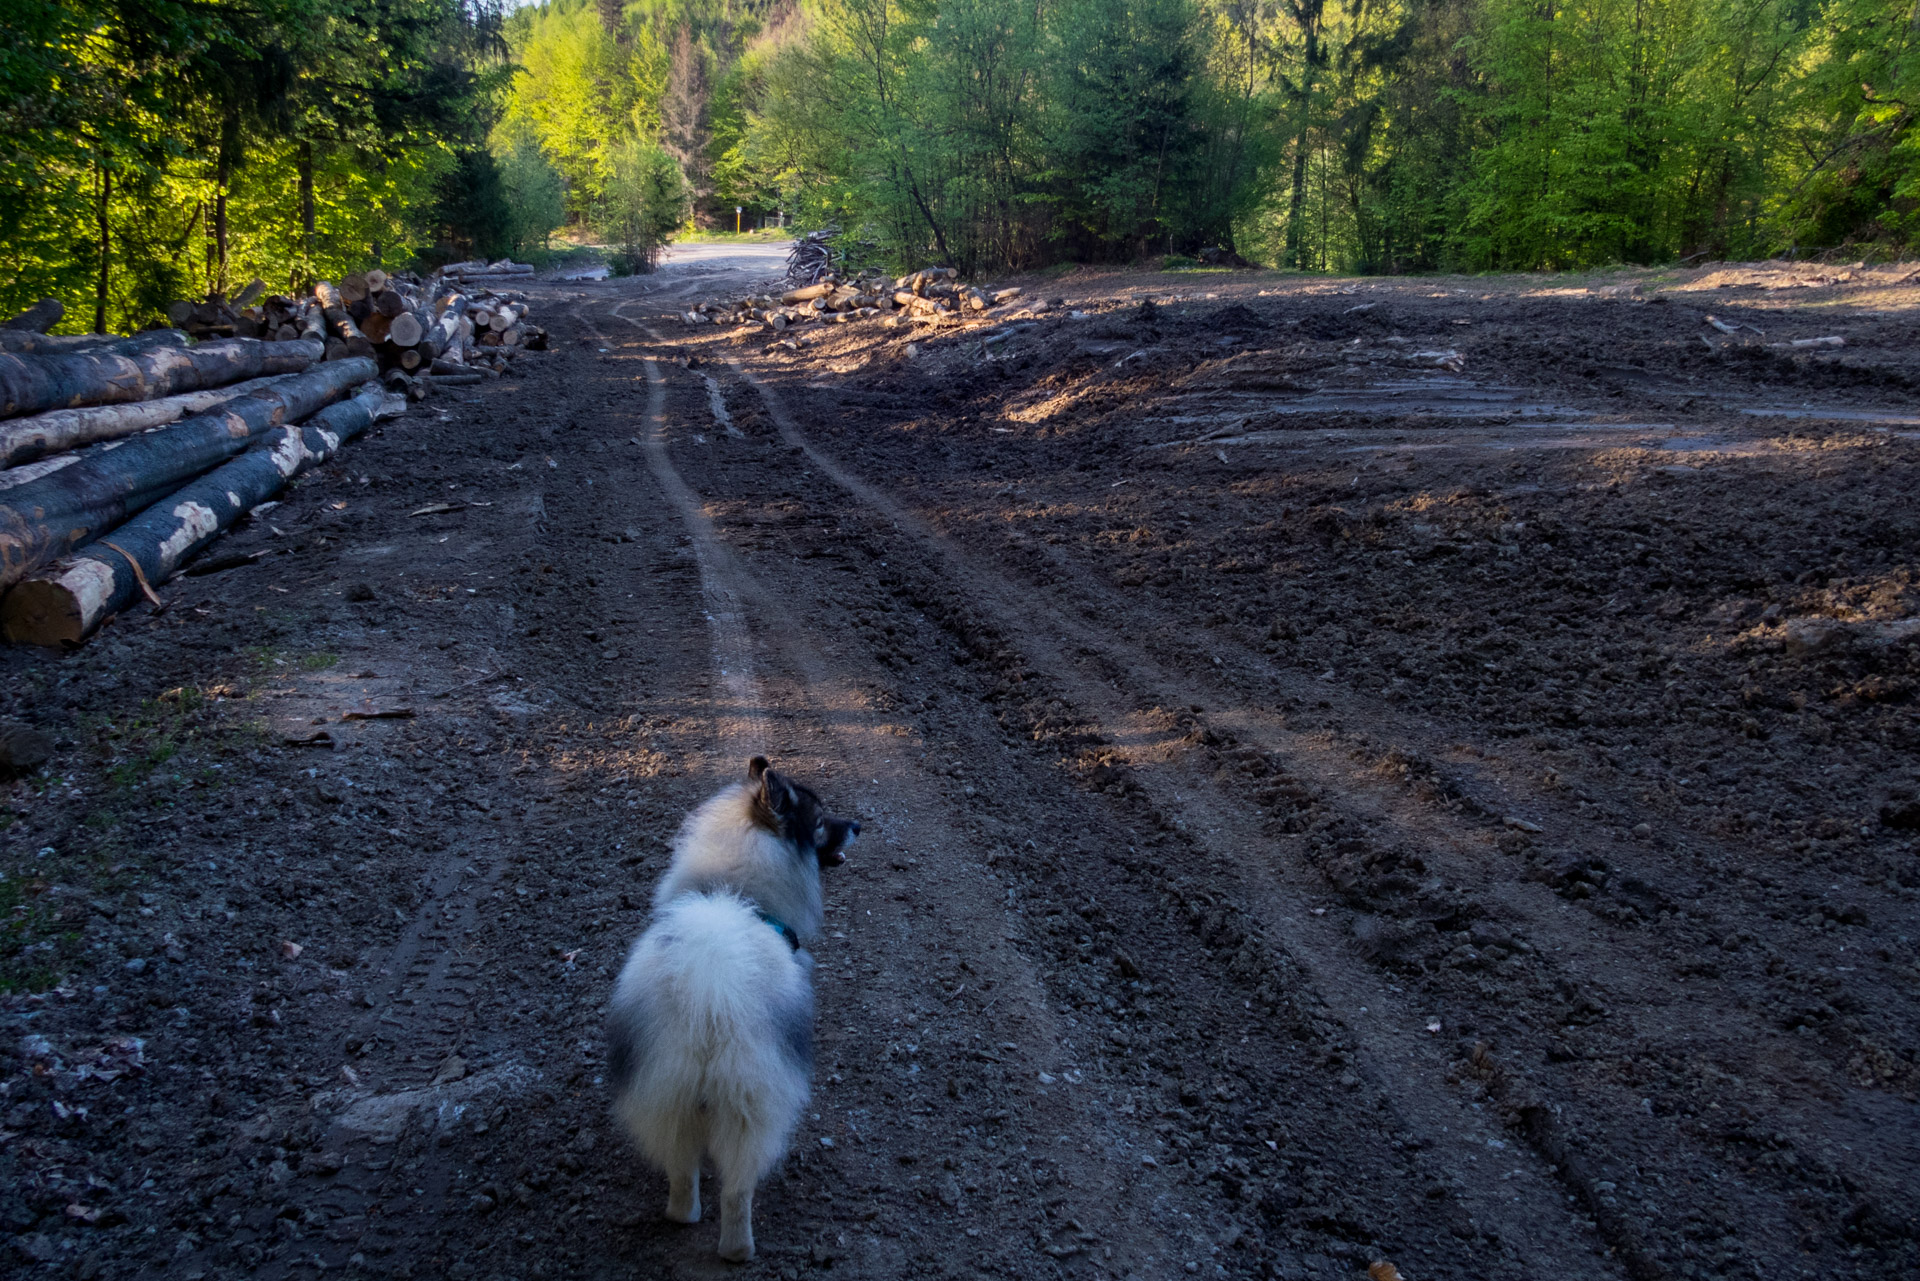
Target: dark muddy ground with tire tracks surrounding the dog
[1355, 771]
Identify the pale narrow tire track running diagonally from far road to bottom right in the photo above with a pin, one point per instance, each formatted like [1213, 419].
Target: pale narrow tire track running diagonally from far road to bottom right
[1406, 1071]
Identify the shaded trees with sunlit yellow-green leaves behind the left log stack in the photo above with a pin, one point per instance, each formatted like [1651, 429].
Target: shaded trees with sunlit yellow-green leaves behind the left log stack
[164, 149]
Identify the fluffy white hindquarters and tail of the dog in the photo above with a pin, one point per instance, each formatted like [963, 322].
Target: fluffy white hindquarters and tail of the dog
[711, 1038]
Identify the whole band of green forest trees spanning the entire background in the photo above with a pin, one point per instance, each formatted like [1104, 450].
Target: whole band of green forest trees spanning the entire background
[164, 149]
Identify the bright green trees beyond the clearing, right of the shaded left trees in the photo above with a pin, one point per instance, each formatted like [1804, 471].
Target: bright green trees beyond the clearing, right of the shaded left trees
[1326, 135]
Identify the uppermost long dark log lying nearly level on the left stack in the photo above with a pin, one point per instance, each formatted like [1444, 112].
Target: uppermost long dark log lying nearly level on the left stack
[36, 383]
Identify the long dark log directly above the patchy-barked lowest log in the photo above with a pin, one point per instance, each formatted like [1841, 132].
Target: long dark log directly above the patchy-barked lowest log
[64, 510]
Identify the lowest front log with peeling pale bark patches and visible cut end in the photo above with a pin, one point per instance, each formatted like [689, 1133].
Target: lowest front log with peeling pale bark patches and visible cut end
[70, 600]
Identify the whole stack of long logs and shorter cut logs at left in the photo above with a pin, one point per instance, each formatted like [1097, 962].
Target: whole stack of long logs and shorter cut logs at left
[124, 456]
